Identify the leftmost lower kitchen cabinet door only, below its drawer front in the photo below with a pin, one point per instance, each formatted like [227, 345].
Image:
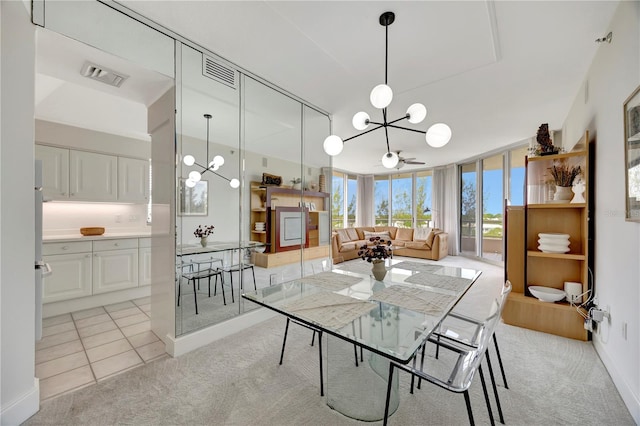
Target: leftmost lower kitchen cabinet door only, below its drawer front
[70, 277]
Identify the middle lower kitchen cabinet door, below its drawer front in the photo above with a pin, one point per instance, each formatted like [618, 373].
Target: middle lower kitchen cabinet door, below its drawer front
[115, 270]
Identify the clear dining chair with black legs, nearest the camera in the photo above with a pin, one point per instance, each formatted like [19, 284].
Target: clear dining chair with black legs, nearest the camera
[456, 371]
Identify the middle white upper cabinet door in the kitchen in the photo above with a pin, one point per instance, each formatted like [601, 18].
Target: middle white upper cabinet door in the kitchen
[93, 176]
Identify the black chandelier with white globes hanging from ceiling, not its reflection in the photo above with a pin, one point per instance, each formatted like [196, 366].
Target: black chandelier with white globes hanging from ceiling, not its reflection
[437, 135]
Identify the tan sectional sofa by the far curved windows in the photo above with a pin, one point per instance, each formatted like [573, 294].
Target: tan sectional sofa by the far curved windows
[425, 243]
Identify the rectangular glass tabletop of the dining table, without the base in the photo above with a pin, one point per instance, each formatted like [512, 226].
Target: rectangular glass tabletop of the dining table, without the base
[391, 317]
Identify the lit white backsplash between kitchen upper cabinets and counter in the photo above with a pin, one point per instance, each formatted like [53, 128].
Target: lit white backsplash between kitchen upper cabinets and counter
[67, 218]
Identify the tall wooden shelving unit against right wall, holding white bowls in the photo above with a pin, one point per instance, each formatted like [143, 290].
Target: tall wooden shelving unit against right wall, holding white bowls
[548, 269]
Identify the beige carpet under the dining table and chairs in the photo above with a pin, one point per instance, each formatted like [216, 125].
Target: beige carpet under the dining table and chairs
[237, 381]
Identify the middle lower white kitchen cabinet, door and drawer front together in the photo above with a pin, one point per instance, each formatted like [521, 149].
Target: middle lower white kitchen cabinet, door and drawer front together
[115, 265]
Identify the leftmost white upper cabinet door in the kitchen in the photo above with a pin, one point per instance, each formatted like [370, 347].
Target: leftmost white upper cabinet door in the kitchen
[55, 171]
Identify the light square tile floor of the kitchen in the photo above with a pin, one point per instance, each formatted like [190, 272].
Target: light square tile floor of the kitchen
[85, 347]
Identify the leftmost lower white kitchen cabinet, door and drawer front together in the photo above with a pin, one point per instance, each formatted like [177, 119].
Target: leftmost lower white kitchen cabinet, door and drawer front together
[70, 277]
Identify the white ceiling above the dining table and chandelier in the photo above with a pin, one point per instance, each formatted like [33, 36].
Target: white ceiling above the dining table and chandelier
[493, 71]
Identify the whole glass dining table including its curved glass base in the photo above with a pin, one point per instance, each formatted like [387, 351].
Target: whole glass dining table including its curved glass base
[388, 319]
